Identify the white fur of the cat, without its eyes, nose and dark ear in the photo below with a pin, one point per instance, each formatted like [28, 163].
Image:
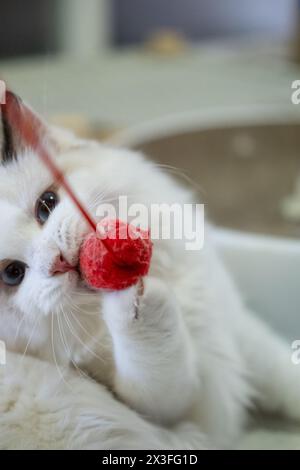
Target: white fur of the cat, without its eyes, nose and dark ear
[189, 352]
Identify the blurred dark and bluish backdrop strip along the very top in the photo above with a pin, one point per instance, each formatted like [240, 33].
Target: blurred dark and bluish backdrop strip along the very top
[54, 26]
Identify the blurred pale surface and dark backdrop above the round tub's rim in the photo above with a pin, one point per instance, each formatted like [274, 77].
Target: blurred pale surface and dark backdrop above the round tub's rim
[143, 59]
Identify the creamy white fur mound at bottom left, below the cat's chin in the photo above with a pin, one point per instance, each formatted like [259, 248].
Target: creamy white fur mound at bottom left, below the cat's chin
[39, 410]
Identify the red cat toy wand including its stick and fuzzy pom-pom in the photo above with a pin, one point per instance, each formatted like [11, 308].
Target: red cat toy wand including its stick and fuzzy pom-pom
[116, 254]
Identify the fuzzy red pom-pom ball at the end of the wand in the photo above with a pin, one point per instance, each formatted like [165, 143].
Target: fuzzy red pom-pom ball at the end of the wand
[116, 256]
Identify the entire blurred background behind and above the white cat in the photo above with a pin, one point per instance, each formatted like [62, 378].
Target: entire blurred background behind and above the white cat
[203, 86]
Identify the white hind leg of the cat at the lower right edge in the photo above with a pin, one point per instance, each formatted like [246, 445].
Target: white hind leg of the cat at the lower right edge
[268, 364]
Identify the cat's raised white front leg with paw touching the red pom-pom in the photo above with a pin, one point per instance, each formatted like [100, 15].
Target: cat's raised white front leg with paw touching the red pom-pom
[154, 364]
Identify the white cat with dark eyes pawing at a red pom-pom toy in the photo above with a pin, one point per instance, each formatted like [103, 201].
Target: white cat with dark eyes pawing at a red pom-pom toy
[184, 348]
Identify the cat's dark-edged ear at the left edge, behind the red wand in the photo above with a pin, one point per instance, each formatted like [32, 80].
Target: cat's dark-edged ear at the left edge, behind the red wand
[18, 120]
